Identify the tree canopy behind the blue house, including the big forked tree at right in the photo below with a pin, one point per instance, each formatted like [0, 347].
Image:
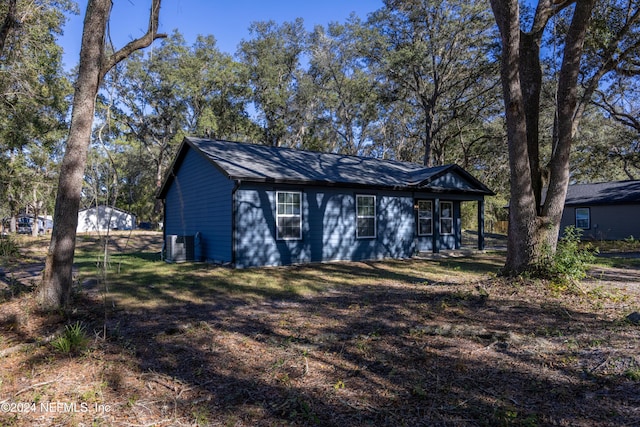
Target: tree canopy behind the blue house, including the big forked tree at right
[414, 80]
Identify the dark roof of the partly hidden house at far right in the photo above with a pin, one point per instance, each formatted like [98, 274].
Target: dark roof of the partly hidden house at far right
[603, 193]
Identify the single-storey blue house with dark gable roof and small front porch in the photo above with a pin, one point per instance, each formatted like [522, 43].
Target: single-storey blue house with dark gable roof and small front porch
[254, 205]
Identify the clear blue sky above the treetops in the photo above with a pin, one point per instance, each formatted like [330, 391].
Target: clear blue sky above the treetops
[227, 20]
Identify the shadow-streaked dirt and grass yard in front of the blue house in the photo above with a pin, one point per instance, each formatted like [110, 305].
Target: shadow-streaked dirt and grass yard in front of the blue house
[436, 341]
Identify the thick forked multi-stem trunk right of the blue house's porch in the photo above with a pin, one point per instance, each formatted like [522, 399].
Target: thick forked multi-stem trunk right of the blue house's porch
[533, 229]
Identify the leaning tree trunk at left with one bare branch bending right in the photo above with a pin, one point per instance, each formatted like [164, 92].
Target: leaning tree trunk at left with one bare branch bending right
[56, 286]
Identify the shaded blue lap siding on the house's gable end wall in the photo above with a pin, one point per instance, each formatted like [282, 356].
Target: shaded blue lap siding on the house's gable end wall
[199, 200]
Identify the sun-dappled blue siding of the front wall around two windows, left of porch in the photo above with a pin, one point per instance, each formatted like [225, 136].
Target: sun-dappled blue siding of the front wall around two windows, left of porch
[328, 227]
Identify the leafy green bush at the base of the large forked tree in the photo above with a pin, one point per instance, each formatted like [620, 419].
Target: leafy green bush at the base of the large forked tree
[570, 263]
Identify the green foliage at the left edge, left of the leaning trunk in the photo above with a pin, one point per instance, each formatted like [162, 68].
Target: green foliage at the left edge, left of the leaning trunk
[33, 104]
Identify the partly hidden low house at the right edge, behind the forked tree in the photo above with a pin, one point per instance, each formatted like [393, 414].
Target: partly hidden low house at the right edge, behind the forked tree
[605, 210]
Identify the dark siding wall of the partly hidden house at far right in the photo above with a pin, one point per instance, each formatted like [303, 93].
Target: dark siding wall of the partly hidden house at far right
[607, 222]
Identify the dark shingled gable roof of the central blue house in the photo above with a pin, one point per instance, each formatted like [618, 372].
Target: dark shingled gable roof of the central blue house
[261, 163]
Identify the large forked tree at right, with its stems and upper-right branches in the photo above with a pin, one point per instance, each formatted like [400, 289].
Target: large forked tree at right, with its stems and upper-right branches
[534, 221]
